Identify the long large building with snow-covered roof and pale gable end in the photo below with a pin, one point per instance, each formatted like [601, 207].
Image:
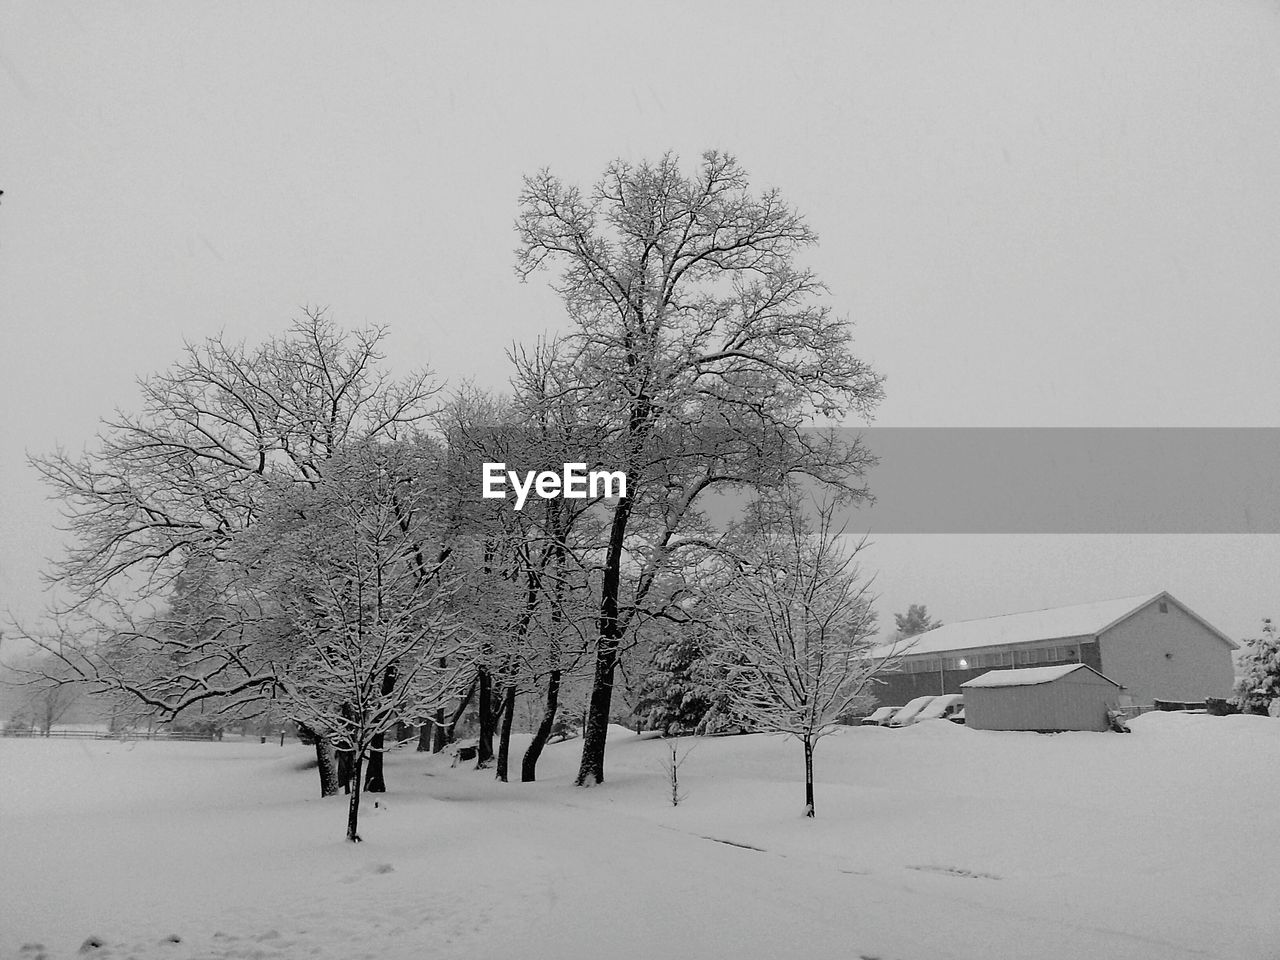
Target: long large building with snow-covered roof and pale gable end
[1153, 644]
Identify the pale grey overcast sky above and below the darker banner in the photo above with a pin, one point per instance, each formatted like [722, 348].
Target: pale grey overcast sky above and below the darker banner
[1037, 214]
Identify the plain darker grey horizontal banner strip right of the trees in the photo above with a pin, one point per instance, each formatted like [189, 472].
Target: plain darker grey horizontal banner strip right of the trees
[1072, 481]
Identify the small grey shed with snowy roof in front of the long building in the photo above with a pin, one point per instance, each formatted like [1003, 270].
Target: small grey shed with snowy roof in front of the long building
[1045, 700]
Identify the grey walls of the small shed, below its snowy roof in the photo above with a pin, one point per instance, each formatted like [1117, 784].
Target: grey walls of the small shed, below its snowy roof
[1077, 702]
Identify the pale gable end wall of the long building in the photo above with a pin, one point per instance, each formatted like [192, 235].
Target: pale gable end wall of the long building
[1168, 656]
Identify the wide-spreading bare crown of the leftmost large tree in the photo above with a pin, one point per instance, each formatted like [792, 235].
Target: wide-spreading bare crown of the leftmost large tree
[150, 610]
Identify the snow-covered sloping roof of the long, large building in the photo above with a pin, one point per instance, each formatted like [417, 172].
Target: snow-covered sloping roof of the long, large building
[1053, 624]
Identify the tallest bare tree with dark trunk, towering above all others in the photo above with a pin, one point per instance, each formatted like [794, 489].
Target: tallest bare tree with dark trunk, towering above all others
[705, 346]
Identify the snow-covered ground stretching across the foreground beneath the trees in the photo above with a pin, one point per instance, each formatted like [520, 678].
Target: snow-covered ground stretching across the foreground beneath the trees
[931, 843]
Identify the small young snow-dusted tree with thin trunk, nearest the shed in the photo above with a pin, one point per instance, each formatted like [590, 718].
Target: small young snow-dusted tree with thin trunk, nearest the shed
[798, 630]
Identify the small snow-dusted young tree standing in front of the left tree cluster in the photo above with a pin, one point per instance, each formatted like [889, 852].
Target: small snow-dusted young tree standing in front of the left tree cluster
[363, 612]
